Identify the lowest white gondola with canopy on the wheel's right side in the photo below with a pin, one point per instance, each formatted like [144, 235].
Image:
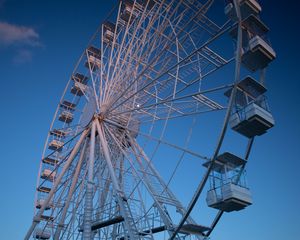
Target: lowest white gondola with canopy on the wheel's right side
[229, 194]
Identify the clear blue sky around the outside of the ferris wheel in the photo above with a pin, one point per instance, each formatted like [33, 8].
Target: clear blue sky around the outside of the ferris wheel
[36, 58]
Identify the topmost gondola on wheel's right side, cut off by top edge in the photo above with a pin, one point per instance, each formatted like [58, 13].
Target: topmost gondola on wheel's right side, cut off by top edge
[247, 8]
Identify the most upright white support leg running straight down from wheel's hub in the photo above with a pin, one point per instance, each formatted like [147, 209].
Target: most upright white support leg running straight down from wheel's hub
[88, 208]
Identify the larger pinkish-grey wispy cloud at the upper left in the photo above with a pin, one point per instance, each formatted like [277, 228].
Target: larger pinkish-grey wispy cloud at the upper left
[11, 35]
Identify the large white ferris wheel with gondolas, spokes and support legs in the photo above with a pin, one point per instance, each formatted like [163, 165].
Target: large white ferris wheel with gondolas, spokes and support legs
[147, 130]
